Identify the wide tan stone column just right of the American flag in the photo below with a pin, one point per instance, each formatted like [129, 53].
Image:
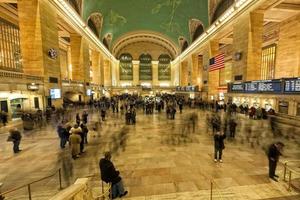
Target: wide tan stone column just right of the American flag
[247, 40]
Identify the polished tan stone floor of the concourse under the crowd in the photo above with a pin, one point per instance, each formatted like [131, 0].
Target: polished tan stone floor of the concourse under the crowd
[157, 158]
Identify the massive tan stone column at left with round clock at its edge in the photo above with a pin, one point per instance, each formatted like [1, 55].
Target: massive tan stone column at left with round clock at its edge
[39, 34]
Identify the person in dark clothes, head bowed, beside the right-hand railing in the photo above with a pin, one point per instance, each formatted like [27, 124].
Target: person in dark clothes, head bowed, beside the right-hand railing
[273, 156]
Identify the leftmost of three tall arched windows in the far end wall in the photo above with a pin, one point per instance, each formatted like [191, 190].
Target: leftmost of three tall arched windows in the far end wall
[126, 67]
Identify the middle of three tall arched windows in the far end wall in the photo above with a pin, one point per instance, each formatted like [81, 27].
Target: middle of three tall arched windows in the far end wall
[145, 69]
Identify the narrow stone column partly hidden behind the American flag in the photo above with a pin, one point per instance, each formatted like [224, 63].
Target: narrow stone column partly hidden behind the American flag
[213, 77]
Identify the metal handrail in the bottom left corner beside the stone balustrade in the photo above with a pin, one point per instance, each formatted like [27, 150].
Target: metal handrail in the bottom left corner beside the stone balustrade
[28, 185]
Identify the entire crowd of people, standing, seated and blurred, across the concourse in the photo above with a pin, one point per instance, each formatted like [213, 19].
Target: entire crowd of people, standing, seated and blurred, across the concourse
[74, 130]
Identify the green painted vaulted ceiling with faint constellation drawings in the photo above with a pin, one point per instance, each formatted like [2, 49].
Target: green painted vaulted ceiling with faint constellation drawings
[168, 17]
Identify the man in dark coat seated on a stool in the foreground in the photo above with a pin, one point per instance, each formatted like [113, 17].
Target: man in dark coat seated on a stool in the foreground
[110, 175]
